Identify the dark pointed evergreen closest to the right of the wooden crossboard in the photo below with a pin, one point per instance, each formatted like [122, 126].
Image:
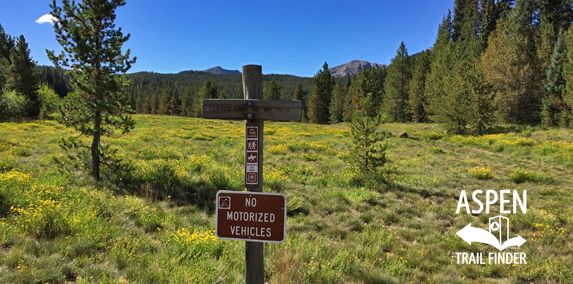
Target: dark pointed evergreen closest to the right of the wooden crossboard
[319, 100]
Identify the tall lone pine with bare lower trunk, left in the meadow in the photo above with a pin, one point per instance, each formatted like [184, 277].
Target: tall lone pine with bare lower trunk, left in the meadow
[96, 66]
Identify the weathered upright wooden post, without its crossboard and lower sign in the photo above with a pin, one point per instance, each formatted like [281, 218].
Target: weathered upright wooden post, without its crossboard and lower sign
[253, 89]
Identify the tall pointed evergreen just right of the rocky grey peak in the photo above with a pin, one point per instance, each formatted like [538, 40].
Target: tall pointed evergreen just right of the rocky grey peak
[396, 87]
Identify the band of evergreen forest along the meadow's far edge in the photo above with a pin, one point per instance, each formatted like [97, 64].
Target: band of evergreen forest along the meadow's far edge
[493, 62]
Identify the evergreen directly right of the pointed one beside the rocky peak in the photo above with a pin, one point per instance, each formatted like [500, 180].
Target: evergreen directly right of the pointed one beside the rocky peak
[418, 97]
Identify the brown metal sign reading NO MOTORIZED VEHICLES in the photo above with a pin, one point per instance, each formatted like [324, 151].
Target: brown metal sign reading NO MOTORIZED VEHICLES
[251, 216]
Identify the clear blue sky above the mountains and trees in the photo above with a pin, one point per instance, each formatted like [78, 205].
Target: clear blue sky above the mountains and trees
[285, 37]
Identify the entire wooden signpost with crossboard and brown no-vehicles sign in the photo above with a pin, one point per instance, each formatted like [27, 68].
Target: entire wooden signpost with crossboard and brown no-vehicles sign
[255, 111]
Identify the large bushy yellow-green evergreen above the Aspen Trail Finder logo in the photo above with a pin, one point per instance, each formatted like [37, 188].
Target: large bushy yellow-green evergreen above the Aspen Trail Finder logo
[510, 64]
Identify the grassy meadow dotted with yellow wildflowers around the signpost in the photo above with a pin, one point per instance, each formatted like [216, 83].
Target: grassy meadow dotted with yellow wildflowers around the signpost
[154, 222]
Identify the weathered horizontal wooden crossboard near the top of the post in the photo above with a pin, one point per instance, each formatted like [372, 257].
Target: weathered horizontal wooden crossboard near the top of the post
[283, 110]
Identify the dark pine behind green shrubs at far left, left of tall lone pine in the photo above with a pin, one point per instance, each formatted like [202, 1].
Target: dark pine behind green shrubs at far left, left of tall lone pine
[23, 77]
